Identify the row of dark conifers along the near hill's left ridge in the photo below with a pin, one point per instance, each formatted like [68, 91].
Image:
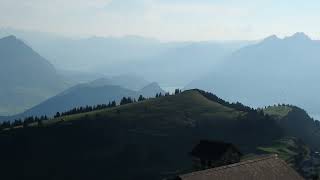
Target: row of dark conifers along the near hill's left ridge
[35, 120]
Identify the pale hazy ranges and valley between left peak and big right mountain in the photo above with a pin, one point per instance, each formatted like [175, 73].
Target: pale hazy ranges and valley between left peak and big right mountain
[146, 57]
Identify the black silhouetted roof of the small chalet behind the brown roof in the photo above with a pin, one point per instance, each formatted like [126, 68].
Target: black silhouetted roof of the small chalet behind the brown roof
[211, 149]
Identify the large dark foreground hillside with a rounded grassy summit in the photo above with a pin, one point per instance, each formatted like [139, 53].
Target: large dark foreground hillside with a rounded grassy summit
[145, 140]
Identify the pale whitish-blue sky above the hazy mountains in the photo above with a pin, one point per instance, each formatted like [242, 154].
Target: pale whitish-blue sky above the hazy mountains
[167, 20]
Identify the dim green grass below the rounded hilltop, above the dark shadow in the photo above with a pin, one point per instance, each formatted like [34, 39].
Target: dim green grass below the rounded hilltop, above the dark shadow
[188, 105]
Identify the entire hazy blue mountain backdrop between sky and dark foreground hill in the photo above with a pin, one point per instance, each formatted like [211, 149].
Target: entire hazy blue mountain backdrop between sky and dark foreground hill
[271, 71]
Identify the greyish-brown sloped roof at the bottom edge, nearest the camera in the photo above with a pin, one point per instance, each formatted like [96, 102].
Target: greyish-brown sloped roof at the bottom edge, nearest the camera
[263, 168]
